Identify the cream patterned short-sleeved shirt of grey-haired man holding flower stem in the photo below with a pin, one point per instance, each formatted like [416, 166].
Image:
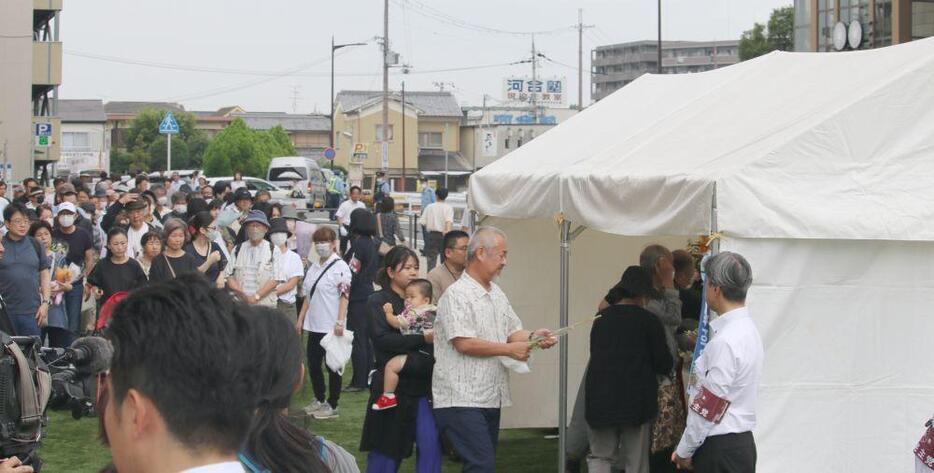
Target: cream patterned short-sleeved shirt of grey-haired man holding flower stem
[468, 310]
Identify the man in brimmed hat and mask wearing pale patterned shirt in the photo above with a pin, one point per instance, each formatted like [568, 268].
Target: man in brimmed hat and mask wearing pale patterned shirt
[254, 273]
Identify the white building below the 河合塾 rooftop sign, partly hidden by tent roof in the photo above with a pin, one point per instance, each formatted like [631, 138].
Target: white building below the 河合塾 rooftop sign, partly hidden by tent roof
[489, 133]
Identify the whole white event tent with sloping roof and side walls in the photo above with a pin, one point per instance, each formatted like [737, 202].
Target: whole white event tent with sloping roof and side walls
[819, 168]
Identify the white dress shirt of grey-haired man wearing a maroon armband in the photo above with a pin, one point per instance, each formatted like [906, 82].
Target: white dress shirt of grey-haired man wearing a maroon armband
[730, 368]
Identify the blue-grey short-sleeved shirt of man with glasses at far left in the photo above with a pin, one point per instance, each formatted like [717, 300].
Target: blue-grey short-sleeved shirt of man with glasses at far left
[19, 274]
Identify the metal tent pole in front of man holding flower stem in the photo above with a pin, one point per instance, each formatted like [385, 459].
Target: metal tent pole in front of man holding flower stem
[565, 271]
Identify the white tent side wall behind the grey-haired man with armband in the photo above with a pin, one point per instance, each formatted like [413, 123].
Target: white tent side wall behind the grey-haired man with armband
[847, 379]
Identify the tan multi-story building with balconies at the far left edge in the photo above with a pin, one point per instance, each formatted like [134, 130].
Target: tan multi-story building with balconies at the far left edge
[30, 74]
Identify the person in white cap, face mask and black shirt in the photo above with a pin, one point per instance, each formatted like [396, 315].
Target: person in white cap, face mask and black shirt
[81, 254]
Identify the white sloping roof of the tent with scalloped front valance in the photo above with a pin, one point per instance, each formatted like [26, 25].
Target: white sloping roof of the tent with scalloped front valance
[790, 145]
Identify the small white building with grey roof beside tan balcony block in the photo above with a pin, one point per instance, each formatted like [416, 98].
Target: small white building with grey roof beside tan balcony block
[85, 140]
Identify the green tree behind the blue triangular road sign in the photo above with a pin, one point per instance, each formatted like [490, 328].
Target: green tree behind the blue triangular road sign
[146, 147]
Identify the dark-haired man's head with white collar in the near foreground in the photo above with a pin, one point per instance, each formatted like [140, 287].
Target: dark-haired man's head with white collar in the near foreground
[180, 390]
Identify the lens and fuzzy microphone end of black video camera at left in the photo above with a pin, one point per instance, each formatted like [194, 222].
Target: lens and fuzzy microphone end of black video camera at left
[73, 370]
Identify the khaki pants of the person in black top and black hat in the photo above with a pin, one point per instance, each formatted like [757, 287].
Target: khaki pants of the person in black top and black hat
[622, 446]
